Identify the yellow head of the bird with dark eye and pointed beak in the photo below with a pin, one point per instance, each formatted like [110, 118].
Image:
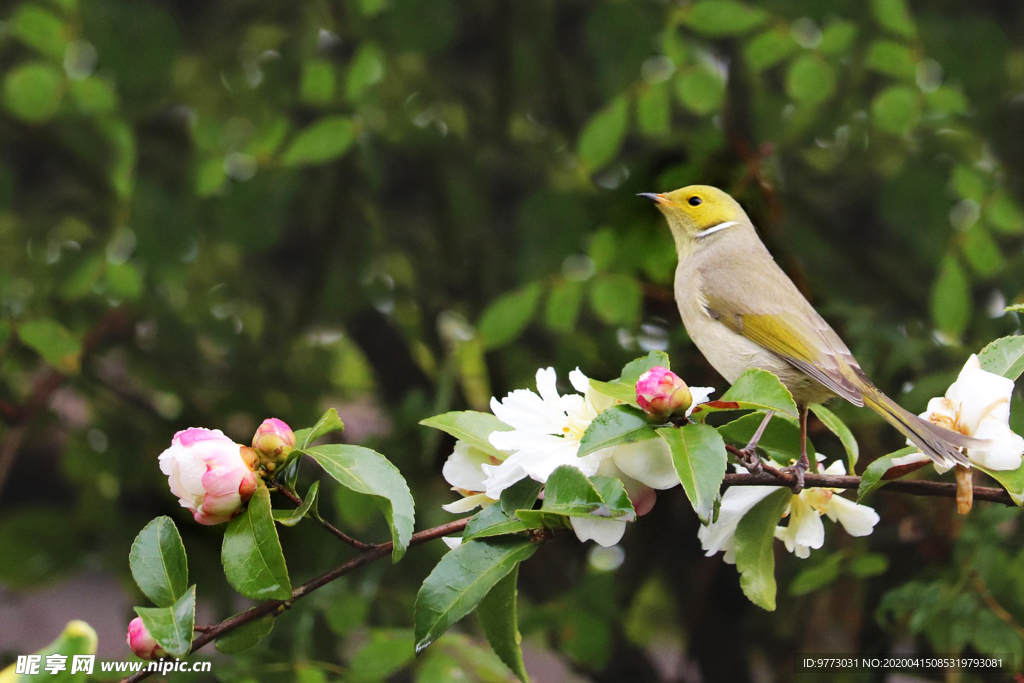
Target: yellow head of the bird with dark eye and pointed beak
[698, 212]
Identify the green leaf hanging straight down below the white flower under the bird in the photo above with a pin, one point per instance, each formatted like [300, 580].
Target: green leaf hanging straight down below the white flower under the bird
[755, 556]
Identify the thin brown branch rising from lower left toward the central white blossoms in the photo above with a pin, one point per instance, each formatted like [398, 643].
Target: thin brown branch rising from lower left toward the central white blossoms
[278, 607]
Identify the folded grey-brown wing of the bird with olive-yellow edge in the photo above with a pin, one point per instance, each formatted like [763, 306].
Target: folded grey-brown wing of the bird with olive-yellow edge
[781, 320]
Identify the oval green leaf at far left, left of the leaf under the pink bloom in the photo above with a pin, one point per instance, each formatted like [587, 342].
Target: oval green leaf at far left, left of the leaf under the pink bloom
[158, 563]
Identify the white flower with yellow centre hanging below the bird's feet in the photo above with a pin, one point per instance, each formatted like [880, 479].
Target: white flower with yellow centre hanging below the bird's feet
[804, 531]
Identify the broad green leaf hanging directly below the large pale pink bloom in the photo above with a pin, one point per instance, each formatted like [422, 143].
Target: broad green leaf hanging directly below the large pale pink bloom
[251, 553]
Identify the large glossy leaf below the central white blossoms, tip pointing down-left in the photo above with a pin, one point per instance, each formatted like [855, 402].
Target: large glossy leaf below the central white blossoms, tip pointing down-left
[460, 582]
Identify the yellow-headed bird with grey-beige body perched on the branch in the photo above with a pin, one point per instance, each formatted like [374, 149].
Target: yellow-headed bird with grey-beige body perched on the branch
[743, 312]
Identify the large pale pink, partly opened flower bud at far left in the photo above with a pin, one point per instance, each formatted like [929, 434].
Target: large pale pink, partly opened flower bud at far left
[210, 475]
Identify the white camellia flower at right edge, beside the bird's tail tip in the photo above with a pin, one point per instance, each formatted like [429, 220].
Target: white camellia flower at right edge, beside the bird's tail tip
[977, 405]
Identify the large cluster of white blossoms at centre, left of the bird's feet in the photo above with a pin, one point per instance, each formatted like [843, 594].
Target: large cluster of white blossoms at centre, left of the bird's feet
[546, 433]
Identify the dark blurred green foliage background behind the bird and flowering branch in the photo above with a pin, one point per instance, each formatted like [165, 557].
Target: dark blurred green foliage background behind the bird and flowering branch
[211, 214]
